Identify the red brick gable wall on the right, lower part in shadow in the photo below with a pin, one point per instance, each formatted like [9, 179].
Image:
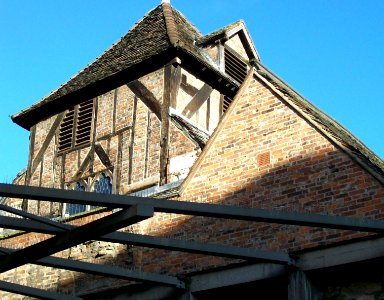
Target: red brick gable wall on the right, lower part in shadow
[265, 155]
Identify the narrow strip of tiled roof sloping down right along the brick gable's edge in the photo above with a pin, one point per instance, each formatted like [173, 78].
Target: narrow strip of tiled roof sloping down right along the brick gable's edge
[331, 128]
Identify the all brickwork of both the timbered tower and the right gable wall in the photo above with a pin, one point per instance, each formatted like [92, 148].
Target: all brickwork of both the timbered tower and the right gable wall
[263, 154]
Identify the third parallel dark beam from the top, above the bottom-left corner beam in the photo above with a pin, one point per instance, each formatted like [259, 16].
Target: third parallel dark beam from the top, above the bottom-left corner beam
[103, 270]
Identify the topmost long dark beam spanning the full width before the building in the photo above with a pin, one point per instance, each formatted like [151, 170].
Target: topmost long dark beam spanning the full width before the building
[196, 209]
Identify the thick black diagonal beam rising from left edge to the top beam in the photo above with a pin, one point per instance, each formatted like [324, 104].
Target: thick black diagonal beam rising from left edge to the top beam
[76, 236]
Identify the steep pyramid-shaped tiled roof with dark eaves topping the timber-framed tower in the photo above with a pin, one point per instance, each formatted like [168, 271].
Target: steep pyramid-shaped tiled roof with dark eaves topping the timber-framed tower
[161, 35]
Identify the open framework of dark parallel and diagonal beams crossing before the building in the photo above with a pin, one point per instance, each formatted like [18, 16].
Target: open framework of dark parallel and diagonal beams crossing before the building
[132, 209]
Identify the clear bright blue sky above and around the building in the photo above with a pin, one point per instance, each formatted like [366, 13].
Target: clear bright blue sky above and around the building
[332, 52]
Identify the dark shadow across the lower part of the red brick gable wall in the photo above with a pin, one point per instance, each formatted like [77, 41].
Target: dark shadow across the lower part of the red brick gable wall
[327, 184]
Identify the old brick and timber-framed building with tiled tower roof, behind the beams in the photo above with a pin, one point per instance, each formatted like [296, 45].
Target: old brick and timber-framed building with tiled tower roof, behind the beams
[169, 113]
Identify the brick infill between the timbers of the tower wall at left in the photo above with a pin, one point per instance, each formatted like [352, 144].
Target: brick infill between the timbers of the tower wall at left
[129, 133]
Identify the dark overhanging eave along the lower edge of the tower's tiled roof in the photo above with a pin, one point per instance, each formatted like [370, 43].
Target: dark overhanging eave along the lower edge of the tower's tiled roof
[44, 109]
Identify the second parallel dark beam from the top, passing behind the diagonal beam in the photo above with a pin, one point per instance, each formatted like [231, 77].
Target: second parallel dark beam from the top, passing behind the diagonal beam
[174, 245]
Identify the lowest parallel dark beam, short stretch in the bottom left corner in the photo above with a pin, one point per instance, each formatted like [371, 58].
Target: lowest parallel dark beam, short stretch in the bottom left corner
[34, 292]
